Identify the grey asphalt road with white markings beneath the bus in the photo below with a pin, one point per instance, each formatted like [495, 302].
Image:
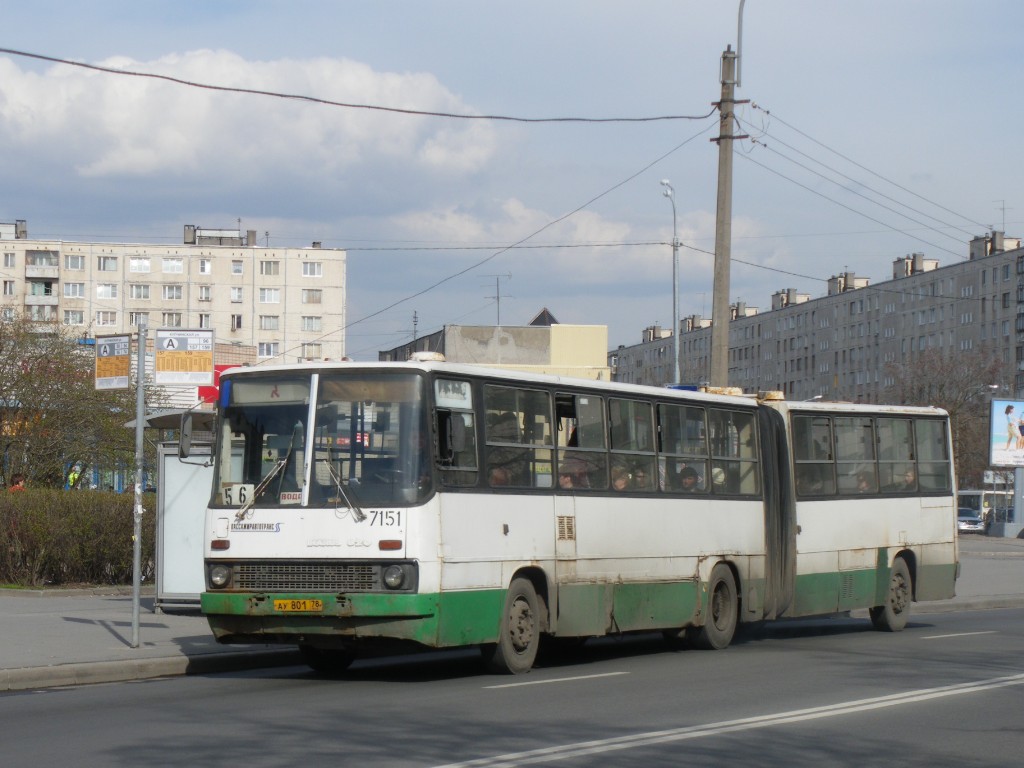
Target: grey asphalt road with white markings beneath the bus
[823, 693]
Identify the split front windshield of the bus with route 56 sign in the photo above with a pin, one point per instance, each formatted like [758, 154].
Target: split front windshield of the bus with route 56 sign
[357, 440]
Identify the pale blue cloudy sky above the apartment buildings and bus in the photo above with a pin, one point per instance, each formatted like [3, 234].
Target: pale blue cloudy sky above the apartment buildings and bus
[876, 130]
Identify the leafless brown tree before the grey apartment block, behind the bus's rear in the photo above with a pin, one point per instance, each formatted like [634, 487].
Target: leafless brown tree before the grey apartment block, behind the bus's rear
[963, 385]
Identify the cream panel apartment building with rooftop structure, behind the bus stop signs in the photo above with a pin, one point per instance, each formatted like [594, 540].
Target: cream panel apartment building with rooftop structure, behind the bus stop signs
[287, 304]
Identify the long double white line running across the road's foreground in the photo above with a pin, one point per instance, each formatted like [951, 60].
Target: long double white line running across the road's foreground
[600, 747]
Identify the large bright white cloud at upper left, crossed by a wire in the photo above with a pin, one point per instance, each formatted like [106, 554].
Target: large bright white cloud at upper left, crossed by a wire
[107, 125]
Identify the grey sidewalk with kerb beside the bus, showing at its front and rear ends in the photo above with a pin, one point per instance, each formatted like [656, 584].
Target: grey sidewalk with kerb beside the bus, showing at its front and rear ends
[73, 637]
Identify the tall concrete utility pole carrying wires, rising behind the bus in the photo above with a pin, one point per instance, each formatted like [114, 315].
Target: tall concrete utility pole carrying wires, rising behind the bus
[720, 312]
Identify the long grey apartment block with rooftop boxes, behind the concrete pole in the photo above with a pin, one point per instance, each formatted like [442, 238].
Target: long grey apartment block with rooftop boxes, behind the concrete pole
[839, 347]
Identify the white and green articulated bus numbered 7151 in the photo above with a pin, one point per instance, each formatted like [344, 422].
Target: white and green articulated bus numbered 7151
[360, 508]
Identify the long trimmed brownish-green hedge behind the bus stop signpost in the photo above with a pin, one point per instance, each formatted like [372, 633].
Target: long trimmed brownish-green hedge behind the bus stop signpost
[52, 538]
